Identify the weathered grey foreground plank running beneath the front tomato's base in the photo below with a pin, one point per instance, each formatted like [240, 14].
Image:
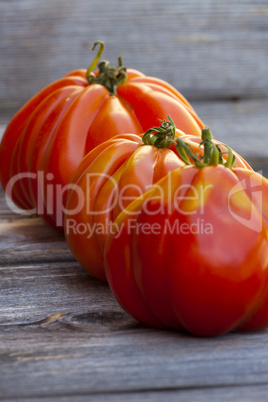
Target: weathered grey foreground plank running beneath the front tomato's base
[86, 353]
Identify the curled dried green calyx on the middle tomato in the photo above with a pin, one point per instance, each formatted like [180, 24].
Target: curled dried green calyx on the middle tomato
[162, 136]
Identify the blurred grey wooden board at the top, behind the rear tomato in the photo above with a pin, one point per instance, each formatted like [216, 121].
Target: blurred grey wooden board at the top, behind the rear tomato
[207, 49]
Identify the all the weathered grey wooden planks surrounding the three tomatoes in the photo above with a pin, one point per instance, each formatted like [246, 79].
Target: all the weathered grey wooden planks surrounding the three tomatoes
[63, 337]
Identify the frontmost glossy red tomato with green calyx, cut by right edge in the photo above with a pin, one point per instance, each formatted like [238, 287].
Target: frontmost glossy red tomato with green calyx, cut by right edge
[191, 253]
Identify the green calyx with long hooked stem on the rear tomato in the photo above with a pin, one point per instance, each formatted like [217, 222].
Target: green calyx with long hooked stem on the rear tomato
[109, 77]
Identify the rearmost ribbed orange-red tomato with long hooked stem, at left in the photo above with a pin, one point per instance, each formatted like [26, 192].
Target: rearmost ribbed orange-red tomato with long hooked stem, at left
[49, 136]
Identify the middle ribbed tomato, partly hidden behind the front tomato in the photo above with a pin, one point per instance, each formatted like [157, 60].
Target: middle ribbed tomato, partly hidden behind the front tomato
[109, 178]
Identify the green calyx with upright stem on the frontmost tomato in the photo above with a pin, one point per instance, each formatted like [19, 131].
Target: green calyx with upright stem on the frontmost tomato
[212, 154]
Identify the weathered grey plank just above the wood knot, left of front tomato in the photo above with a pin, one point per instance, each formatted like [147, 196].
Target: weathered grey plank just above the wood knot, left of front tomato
[34, 292]
